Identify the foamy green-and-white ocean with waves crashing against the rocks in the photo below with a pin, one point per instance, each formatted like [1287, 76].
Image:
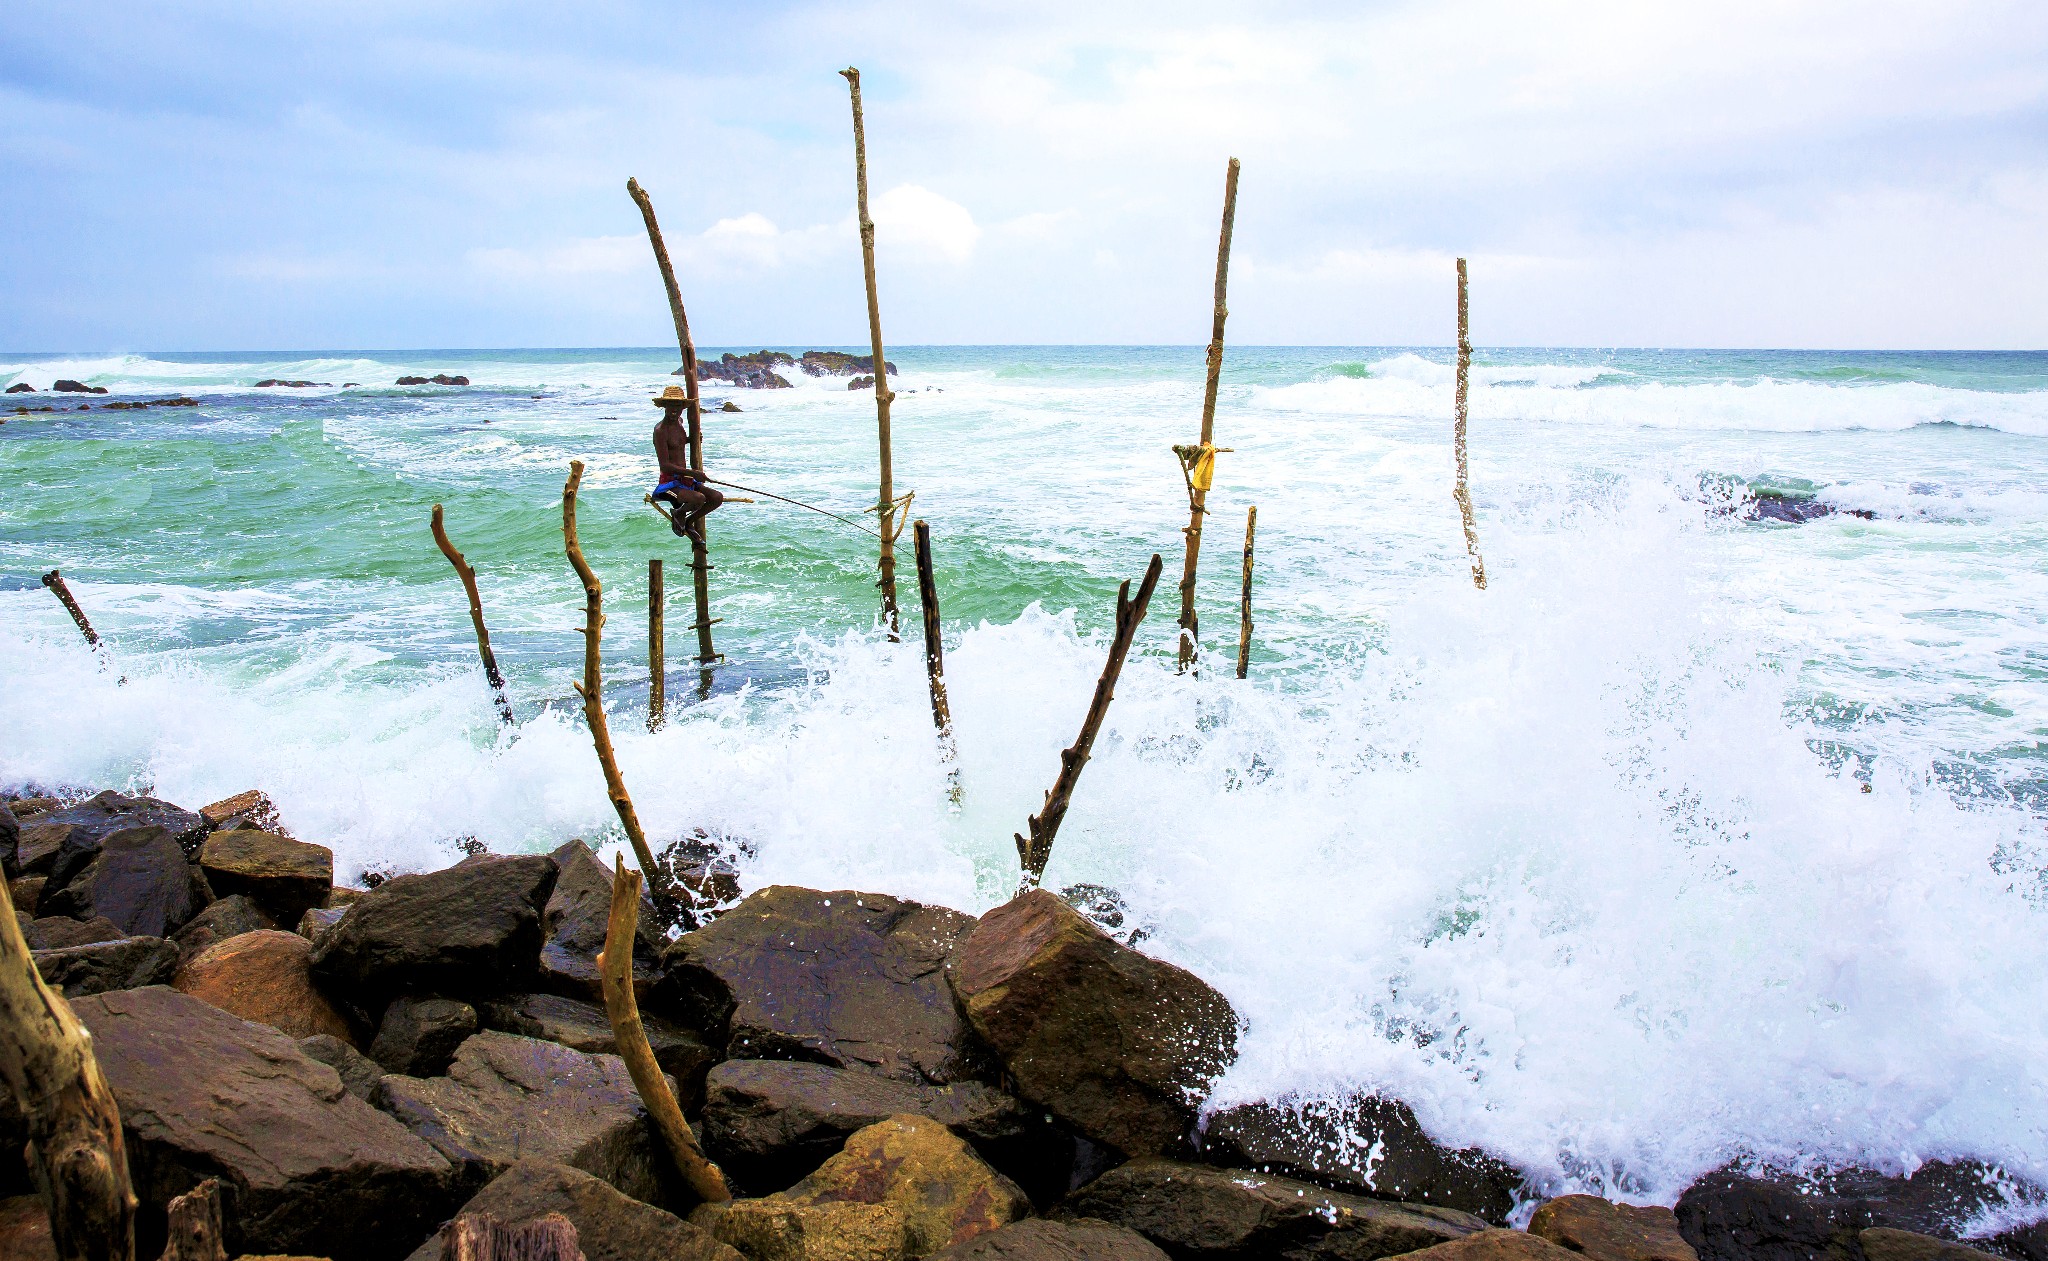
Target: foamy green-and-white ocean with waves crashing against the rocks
[1691, 838]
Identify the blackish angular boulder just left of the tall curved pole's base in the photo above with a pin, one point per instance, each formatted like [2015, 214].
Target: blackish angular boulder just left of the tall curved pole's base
[466, 930]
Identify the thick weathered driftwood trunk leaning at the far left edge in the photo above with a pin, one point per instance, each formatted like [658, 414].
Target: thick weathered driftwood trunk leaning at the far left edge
[77, 1154]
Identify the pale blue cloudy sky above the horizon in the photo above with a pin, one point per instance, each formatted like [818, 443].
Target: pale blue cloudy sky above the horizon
[189, 175]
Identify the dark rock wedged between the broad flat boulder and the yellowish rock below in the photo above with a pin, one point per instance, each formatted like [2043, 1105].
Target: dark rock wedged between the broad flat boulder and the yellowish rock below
[771, 1123]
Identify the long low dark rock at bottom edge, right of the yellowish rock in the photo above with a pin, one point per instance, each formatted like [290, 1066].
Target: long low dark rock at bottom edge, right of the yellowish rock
[1195, 1211]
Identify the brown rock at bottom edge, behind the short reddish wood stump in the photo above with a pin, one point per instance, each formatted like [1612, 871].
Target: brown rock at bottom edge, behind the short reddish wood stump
[609, 1227]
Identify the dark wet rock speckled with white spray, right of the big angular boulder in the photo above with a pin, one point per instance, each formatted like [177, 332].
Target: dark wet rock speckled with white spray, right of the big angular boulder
[1369, 1145]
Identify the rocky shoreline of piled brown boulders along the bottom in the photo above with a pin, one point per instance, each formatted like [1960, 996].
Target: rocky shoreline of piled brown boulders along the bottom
[880, 1080]
